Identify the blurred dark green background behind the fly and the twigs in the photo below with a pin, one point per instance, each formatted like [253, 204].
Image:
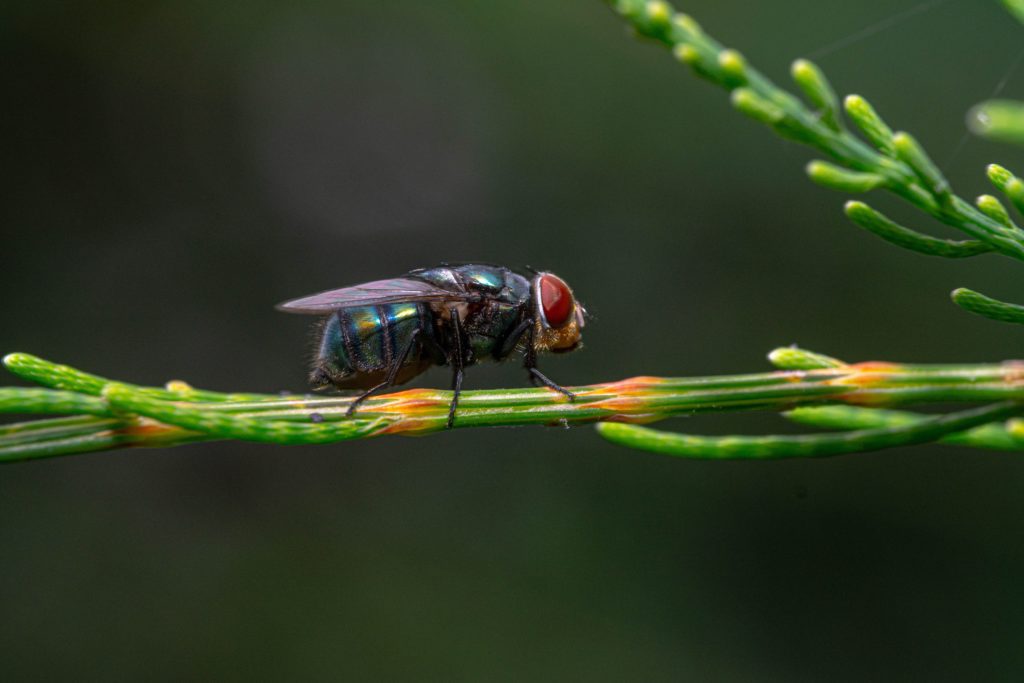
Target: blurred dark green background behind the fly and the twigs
[174, 169]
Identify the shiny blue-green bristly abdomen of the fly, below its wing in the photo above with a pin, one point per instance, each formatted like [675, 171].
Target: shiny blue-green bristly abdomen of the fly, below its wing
[360, 345]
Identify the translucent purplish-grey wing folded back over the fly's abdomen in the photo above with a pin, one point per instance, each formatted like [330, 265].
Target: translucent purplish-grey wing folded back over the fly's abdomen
[399, 290]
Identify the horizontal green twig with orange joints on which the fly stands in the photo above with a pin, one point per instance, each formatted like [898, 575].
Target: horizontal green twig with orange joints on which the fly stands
[114, 415]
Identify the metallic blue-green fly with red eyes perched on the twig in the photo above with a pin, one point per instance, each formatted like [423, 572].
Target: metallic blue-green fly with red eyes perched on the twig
[385, 333]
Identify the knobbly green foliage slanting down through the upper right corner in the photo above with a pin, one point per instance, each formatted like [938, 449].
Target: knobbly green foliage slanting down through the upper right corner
[881, 159]
